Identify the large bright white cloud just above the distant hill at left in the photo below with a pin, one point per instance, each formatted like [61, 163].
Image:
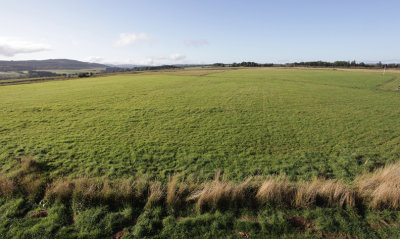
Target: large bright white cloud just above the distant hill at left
[12, 46]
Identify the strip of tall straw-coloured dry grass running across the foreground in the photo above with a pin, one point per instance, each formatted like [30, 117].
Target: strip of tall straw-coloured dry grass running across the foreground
[380, 189]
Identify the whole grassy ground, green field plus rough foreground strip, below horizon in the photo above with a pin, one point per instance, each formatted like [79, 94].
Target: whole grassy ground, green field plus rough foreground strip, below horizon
[299, 124]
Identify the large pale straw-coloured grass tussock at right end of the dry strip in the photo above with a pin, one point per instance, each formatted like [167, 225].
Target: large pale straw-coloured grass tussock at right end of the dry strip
[382, 187]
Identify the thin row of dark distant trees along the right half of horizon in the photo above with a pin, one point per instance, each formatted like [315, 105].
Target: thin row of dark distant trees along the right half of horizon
[344, 64]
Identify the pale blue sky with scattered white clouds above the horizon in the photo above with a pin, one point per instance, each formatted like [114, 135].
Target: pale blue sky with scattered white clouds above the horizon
[200, 32]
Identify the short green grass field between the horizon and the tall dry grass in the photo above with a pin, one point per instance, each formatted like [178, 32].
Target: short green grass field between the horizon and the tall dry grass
[303, 123]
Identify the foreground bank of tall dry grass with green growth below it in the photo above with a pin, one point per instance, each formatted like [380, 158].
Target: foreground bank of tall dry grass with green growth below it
[34, 206]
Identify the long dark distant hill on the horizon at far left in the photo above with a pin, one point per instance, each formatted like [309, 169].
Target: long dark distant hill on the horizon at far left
[52, 64]
